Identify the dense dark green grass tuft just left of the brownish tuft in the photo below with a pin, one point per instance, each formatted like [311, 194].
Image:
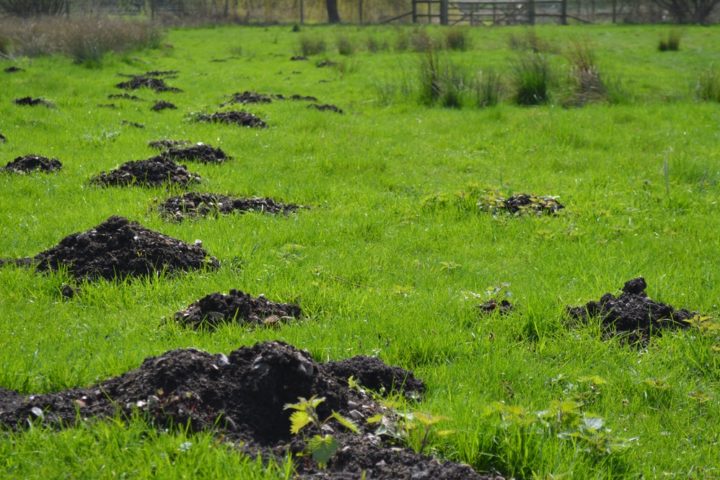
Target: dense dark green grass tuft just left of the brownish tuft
[531, 76]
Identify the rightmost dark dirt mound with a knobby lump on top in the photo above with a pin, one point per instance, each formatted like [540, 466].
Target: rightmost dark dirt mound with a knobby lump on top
[632, 314]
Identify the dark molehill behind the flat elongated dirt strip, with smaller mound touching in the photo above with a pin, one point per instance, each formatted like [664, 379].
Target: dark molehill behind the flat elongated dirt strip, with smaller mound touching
[152, 172]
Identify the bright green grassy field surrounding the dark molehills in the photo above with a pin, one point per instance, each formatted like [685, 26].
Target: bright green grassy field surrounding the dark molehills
[393, 256]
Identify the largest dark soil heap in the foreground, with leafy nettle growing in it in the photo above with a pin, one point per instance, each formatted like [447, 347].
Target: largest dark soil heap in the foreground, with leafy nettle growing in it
[242, 397]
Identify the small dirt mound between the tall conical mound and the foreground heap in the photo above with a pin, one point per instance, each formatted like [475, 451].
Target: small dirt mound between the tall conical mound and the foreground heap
[216, 309]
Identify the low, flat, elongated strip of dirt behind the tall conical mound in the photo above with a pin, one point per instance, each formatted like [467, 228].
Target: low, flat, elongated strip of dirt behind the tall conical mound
[202, 204]
